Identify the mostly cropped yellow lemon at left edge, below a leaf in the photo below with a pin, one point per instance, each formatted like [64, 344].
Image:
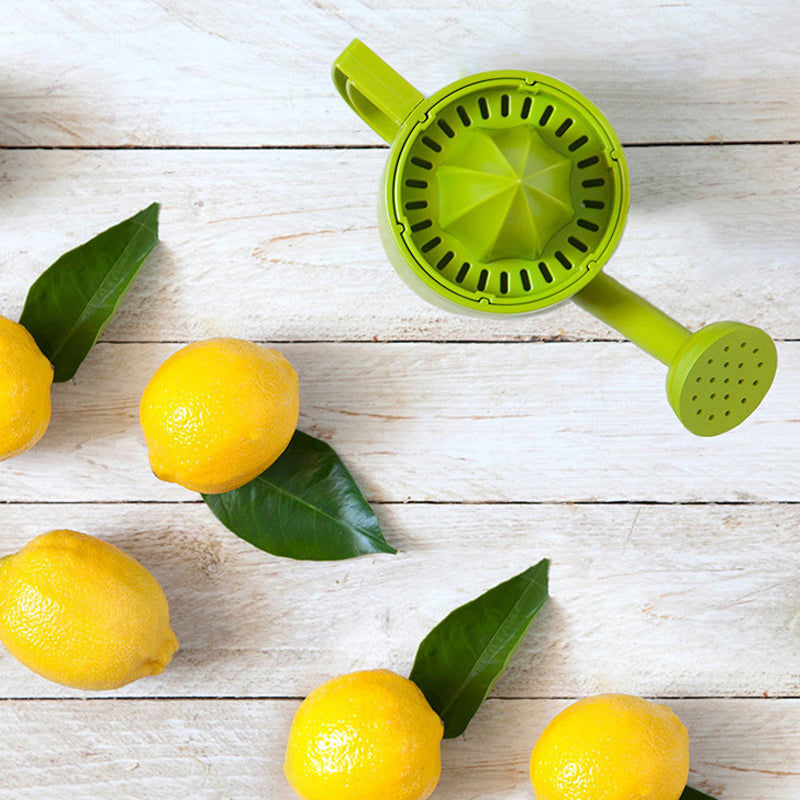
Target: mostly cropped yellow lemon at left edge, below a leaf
[25, 380]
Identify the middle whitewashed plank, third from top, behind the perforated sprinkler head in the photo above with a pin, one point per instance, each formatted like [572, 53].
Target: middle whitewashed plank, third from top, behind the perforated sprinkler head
[534, 422]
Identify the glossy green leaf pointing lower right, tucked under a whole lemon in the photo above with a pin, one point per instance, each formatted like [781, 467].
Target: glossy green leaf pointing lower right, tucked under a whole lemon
[305, 506]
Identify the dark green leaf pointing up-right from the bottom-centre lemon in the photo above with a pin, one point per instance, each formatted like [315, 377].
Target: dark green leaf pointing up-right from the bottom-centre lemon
[460, 660]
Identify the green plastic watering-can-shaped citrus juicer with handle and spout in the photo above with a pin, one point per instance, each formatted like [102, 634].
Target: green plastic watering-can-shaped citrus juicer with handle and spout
[505, 193]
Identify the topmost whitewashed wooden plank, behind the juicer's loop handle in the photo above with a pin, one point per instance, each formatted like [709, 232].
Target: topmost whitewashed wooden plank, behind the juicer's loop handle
[138, 73]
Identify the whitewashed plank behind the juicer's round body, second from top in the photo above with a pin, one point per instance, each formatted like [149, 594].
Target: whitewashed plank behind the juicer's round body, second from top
[283, 245]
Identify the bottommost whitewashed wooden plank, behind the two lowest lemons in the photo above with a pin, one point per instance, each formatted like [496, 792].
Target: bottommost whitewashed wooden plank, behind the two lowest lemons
[212, 749]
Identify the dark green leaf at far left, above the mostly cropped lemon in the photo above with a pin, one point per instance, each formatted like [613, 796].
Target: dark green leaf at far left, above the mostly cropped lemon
[71, 302]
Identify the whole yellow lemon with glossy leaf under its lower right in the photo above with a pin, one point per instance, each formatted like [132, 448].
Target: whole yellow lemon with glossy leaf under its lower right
[217, 413]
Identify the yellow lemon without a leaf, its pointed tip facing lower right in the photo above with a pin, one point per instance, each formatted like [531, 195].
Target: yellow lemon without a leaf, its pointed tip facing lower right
[82, 613]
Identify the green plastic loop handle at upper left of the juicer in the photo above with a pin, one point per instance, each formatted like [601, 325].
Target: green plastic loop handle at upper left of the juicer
[381, 97]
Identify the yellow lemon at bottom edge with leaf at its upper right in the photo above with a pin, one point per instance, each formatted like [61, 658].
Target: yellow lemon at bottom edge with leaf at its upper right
[365, 736]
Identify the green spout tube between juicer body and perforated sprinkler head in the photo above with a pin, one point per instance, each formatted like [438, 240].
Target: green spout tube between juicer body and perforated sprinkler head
[633, 317]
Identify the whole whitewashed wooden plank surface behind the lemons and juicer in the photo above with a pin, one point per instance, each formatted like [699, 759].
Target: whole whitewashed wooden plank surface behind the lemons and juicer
[484, 444]
